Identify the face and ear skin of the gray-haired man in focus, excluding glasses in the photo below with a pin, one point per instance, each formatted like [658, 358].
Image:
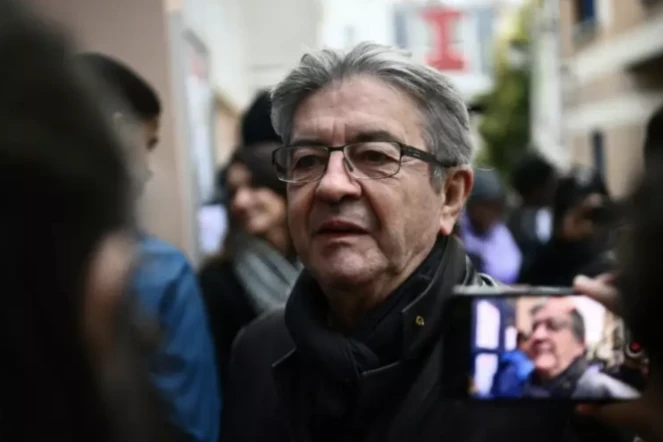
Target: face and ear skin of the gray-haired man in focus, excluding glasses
[395, 219]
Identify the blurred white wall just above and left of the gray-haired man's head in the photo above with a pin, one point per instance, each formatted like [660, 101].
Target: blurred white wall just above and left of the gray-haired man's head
[253, 43]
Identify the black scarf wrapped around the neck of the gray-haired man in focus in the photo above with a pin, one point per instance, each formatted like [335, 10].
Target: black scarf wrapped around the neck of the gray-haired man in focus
[334, 390]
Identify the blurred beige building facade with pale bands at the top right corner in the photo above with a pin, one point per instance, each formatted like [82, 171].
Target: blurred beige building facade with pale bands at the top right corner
[612, 56]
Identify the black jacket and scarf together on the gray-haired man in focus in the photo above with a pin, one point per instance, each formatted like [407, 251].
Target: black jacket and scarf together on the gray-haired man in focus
[294, 379]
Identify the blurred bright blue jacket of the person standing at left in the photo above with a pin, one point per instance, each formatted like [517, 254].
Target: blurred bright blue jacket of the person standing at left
[183, 368]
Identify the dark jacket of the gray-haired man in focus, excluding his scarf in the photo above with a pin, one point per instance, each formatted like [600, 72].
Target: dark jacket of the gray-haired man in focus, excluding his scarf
[278, 393]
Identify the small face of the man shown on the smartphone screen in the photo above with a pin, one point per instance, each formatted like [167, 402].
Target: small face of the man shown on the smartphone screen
[553, 344]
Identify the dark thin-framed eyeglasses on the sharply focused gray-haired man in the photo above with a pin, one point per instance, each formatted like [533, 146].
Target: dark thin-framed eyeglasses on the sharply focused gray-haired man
[372, 160]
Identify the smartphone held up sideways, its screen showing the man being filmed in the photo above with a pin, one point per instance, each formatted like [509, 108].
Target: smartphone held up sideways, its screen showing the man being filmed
[534, 343]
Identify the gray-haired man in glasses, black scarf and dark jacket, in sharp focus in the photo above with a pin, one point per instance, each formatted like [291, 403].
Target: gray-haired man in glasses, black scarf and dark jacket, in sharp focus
[376, 156]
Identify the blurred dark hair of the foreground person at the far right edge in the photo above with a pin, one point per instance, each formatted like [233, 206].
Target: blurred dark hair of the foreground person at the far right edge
[641, 279]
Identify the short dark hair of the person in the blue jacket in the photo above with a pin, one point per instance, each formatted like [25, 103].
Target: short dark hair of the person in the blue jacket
[137, 93]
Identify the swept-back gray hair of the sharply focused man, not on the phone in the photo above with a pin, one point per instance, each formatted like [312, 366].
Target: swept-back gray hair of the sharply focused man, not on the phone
[447, 133]
